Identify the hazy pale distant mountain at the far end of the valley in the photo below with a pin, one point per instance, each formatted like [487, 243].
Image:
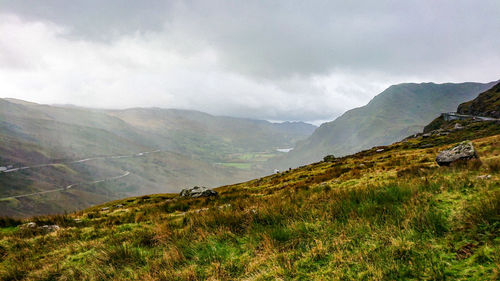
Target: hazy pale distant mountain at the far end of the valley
[211, 137]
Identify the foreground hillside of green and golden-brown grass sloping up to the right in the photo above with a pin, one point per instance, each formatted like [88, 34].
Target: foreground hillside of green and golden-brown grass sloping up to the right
[387, 213]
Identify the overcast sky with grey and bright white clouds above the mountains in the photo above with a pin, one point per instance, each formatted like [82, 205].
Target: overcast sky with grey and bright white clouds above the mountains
[275, 60]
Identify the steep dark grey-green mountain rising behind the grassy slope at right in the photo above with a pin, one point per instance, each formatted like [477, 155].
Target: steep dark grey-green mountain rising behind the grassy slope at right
[397, 112]
